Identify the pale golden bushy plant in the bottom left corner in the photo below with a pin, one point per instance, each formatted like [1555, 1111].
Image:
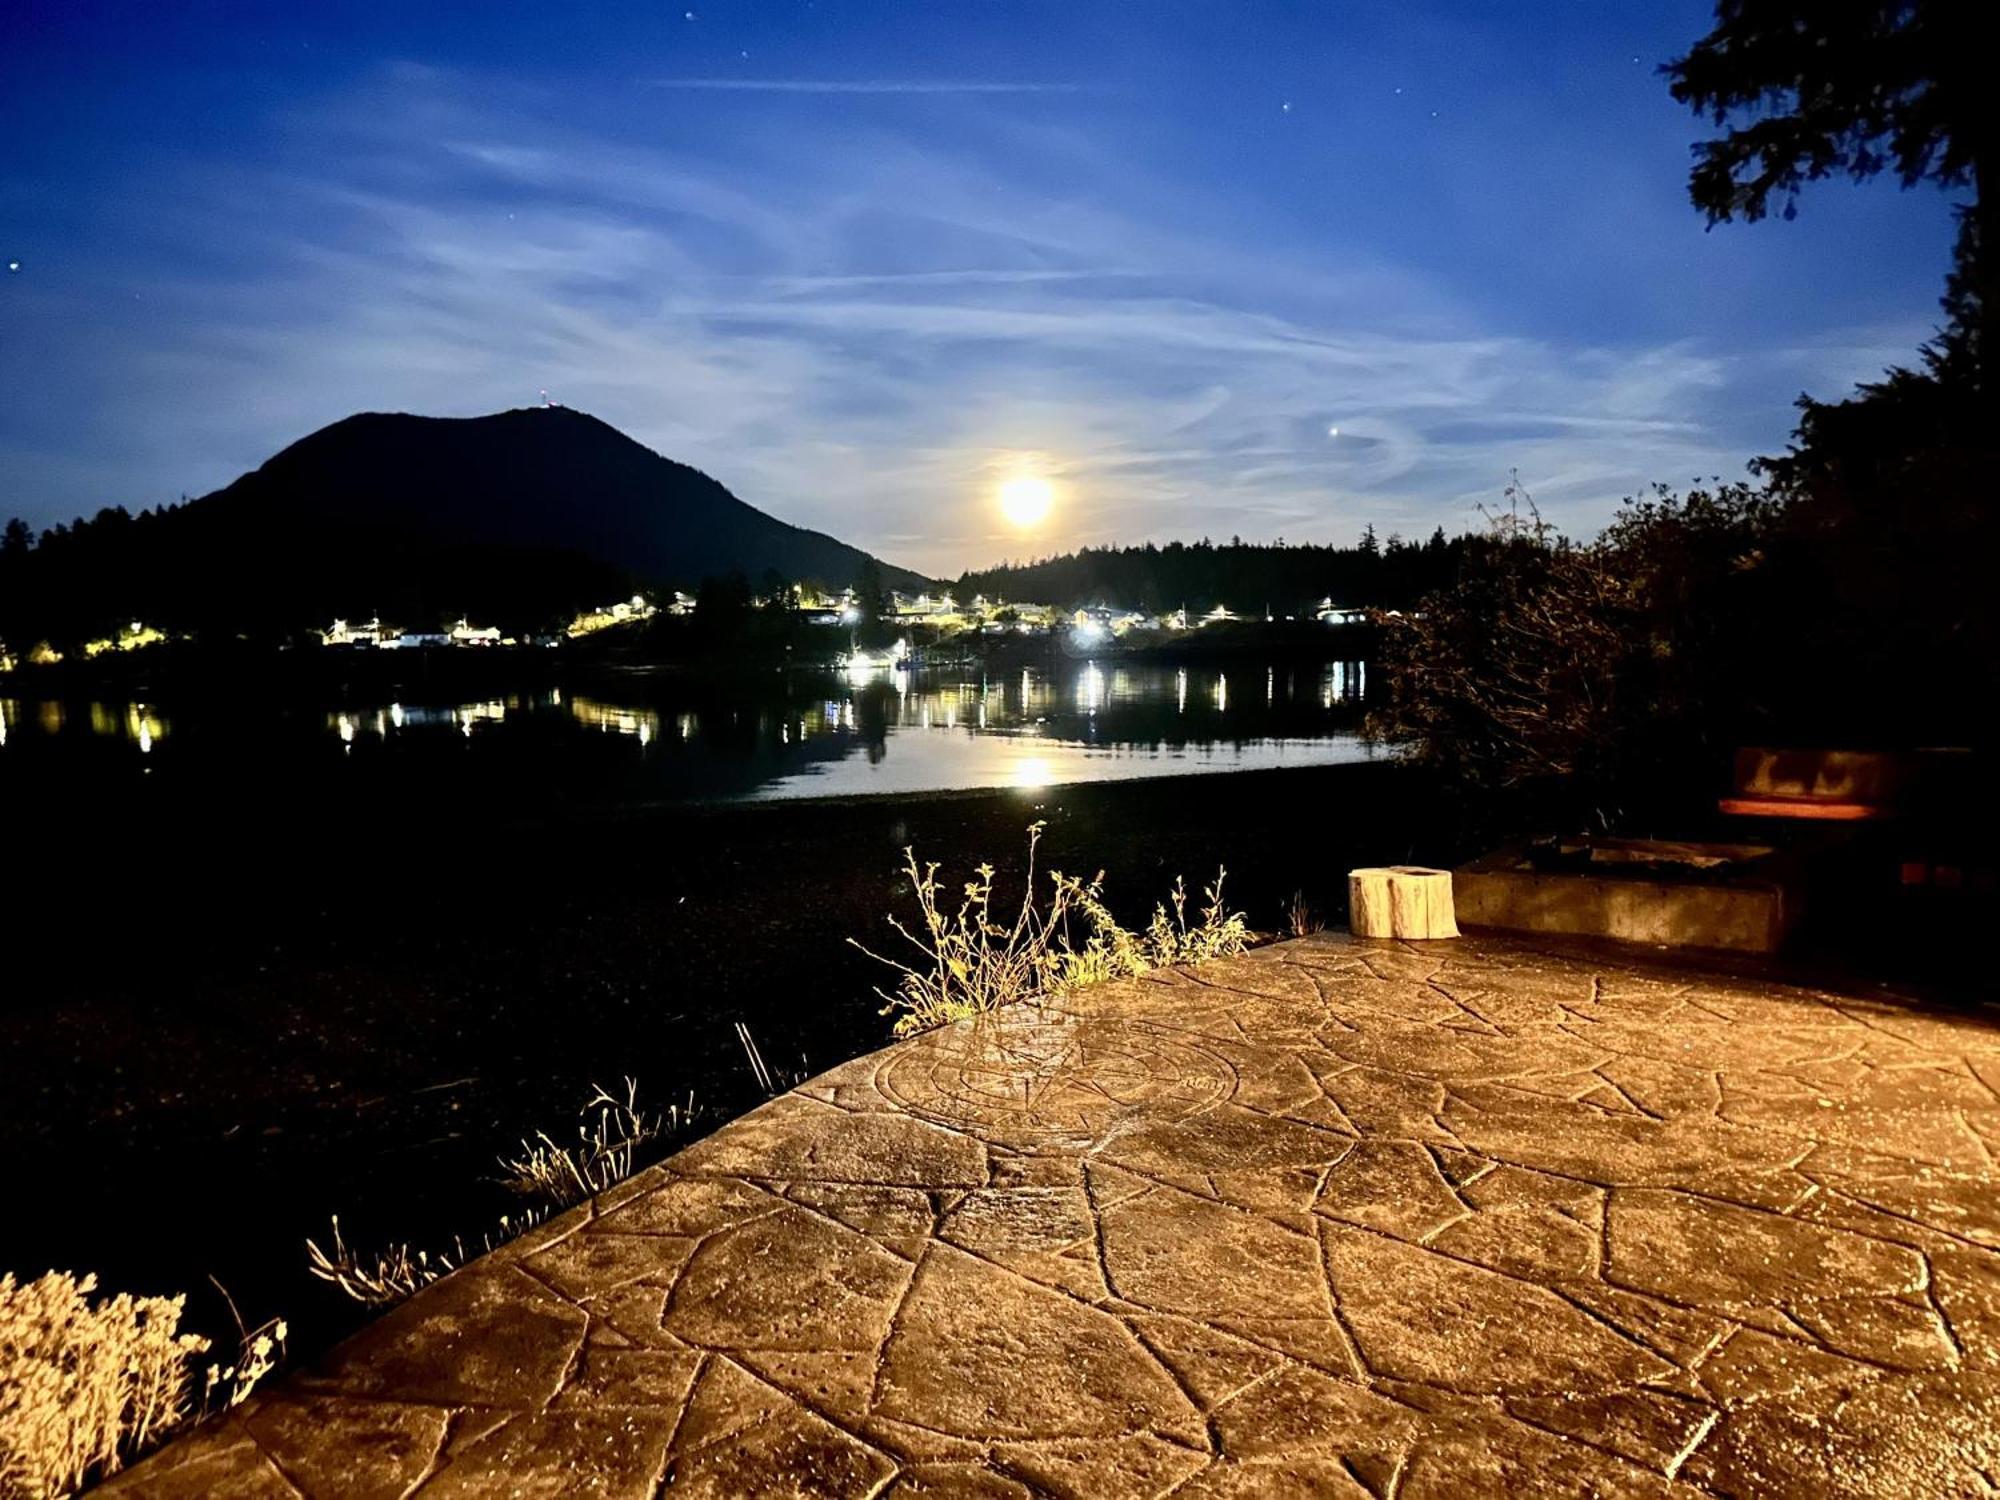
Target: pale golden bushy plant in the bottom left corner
[89, 1385]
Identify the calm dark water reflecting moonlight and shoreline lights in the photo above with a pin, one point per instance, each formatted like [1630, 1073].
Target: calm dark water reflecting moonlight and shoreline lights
[665, 739]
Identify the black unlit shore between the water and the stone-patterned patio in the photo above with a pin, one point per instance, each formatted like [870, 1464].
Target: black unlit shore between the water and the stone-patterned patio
[225, 1023]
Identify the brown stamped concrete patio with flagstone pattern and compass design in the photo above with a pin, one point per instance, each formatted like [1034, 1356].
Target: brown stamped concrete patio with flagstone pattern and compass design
[1331, 1219]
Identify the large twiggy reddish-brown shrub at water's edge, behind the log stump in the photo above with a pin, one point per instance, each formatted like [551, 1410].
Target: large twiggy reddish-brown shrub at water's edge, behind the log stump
[1587, 685]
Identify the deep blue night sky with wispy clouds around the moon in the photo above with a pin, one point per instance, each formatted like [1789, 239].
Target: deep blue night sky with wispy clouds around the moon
[863, 261]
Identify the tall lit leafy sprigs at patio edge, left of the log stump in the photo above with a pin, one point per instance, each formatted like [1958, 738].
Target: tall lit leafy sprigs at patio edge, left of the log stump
[971, 959]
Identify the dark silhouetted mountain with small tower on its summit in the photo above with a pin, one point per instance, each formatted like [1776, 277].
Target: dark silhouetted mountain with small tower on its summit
[519, 519]
